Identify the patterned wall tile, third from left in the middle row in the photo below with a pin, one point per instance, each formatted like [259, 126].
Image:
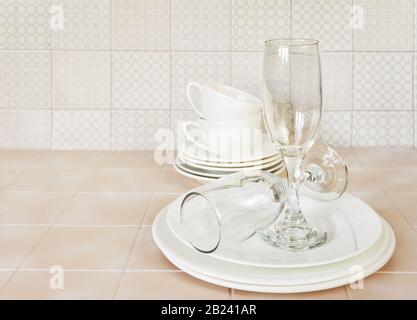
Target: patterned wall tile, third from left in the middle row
[141, 80]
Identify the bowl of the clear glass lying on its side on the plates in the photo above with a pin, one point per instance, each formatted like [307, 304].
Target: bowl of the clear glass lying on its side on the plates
[232, 209]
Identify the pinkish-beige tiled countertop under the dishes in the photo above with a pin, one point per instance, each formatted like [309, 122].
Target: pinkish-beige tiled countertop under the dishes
[91, 212]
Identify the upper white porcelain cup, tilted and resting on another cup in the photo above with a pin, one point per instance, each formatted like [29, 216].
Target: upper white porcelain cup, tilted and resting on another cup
[220, 102]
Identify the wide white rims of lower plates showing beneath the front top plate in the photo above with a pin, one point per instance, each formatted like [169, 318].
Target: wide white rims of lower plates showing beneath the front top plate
[278, 280]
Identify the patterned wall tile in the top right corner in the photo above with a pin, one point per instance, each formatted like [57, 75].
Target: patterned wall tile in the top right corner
[387, 25]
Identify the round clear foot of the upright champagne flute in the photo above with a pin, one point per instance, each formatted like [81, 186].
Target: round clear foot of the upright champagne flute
[294, 237]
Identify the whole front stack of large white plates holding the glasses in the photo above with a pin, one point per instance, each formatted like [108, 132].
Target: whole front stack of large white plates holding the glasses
[360, 243]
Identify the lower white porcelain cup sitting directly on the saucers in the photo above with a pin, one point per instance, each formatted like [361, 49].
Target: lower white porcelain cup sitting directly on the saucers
[227, 139]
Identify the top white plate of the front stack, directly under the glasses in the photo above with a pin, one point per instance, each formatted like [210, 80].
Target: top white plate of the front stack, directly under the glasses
[352, 227]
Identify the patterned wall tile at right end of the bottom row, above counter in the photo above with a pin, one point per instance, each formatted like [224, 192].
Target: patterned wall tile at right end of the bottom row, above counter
[383, 129]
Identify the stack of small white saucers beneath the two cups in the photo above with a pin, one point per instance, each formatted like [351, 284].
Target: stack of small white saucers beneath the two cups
[194, 163]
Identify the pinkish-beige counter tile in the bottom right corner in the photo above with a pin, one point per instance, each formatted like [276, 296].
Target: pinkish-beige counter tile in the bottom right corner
[383, 286]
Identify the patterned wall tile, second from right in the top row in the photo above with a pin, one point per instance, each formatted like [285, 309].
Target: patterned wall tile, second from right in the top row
[324, 20]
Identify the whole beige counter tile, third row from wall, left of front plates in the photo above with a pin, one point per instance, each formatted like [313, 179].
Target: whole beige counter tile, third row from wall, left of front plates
[105, 209]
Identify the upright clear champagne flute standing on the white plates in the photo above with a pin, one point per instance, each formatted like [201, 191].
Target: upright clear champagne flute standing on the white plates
[292, 111]
